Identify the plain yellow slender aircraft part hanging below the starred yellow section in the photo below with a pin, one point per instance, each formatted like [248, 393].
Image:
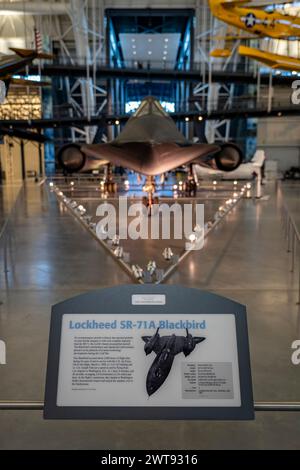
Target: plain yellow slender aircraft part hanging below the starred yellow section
[274, 61]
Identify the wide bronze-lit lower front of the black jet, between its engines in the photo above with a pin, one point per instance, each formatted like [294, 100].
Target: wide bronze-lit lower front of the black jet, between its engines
[149, 159]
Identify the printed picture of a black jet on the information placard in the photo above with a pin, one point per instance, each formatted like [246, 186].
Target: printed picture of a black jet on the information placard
[166, 348]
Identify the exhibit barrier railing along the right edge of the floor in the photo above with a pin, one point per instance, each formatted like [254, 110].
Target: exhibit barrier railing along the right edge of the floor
[293, 241]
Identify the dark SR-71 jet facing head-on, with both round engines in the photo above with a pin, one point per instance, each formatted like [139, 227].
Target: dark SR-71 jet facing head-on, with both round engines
[149, 144]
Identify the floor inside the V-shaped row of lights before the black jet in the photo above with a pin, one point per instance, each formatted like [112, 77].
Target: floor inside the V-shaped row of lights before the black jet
[141, 251]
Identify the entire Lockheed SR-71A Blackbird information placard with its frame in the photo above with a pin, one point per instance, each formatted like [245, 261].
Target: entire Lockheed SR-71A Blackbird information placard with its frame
[147, 352]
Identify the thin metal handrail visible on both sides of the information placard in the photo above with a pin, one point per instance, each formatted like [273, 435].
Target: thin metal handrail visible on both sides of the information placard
[23, 405]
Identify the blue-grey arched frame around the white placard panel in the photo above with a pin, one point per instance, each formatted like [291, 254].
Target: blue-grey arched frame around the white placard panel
[118, 300]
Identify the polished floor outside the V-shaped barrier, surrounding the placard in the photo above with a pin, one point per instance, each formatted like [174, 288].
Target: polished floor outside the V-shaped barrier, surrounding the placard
[47, 256]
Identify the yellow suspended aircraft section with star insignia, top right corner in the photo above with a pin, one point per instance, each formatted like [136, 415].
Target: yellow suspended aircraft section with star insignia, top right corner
[255, 20]
